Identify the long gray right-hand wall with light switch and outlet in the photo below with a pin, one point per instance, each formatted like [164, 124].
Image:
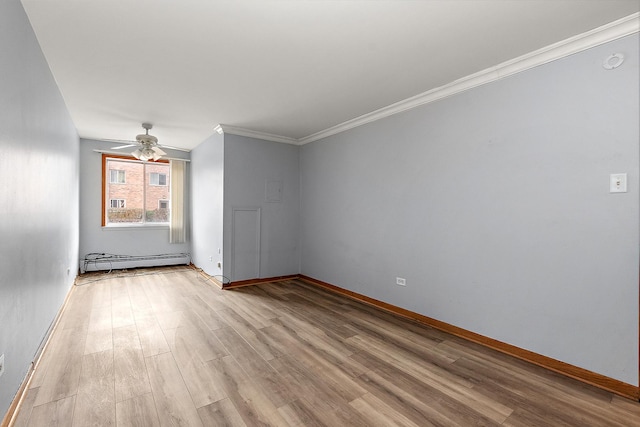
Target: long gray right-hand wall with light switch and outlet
[494, 205]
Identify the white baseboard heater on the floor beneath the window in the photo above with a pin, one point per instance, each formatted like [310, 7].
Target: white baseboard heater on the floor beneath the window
[104, 261]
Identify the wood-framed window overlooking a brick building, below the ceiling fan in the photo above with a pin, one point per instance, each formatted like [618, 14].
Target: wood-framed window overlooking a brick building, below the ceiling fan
[142, 198]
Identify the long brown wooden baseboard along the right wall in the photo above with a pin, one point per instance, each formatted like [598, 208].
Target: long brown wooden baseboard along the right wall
[606, 383]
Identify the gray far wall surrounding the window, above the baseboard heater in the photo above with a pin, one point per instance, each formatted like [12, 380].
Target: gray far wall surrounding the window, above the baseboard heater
[152, 240]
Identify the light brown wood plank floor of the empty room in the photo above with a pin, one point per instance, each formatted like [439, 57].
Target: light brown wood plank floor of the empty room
[167, 348]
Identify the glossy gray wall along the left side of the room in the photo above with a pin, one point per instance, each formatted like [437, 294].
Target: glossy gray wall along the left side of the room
[38, 198]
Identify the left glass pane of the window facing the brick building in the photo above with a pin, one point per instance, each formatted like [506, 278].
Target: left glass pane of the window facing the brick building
[131, 190]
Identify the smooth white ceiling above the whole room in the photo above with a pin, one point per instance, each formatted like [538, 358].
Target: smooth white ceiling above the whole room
[288, 68]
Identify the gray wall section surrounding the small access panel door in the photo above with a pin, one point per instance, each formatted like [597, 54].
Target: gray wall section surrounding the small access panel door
[249, 165]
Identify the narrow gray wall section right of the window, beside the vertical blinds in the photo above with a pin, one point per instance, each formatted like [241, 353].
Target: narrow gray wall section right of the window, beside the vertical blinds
[207, 171]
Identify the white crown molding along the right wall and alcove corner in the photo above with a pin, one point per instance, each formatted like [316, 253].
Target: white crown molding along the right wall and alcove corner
[596, 37]
